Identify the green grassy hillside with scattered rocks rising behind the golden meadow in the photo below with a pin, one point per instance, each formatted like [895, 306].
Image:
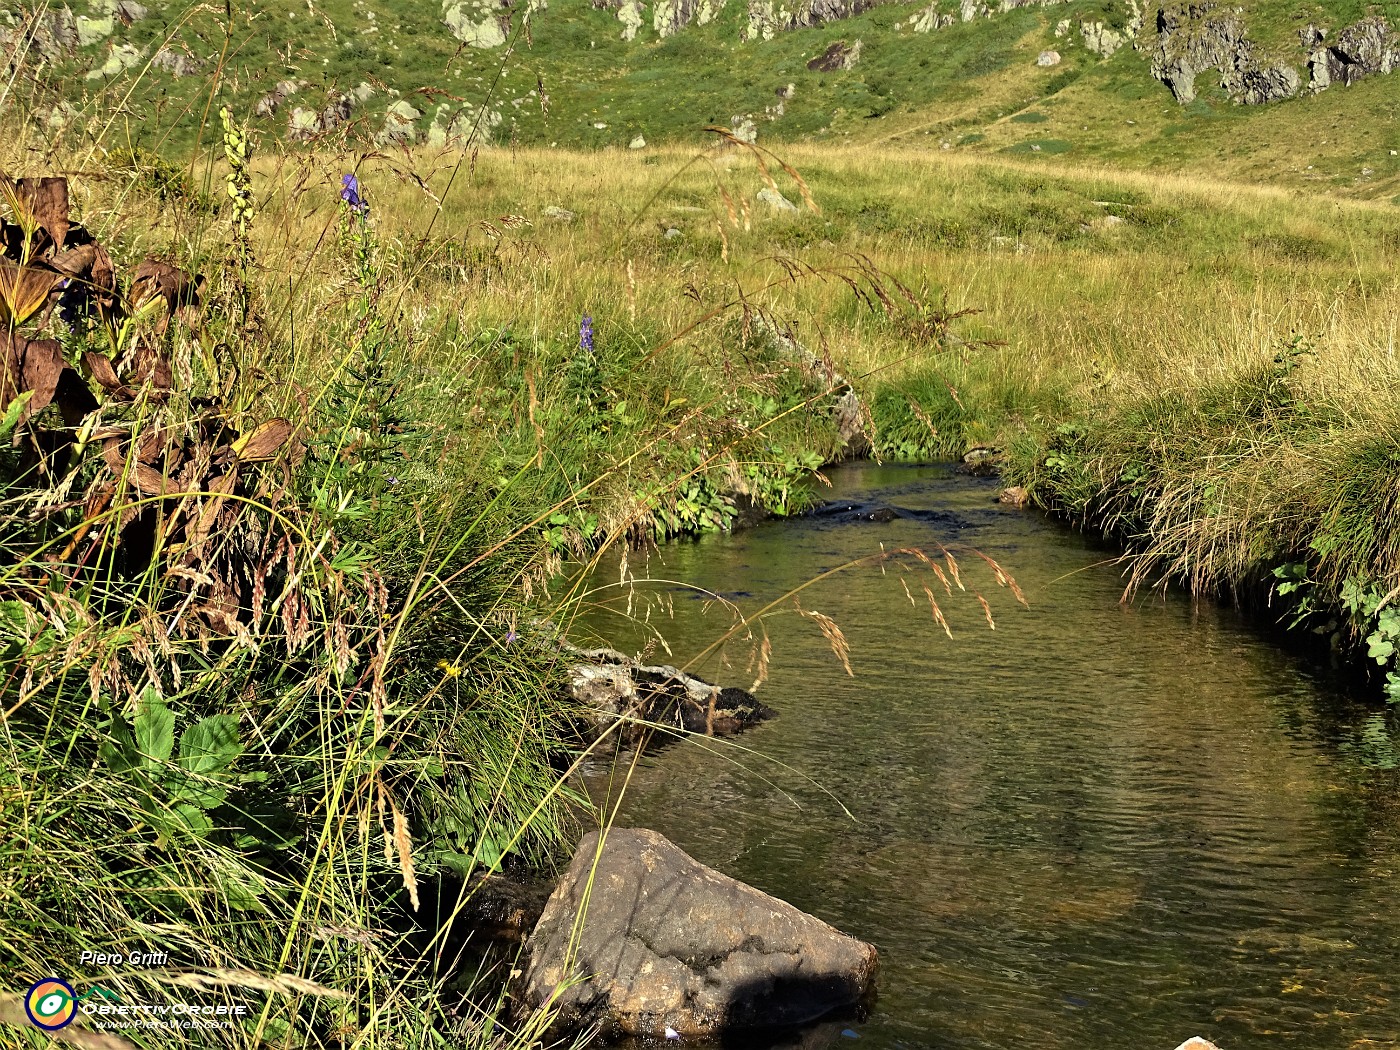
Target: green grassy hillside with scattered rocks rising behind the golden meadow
[568, 78]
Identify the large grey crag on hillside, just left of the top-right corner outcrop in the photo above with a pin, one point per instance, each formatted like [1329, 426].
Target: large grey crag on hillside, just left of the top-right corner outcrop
[1198, 37]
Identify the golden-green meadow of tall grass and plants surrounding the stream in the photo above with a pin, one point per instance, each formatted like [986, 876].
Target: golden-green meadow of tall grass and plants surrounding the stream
[281, 619]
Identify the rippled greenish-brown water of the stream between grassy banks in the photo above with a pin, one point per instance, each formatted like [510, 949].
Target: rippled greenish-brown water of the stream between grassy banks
[1101, 825]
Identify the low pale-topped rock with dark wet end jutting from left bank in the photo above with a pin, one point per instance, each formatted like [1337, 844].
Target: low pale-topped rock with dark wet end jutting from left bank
[618, 689]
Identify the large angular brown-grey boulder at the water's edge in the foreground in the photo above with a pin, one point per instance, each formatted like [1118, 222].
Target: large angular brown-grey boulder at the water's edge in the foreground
[668, 943]
